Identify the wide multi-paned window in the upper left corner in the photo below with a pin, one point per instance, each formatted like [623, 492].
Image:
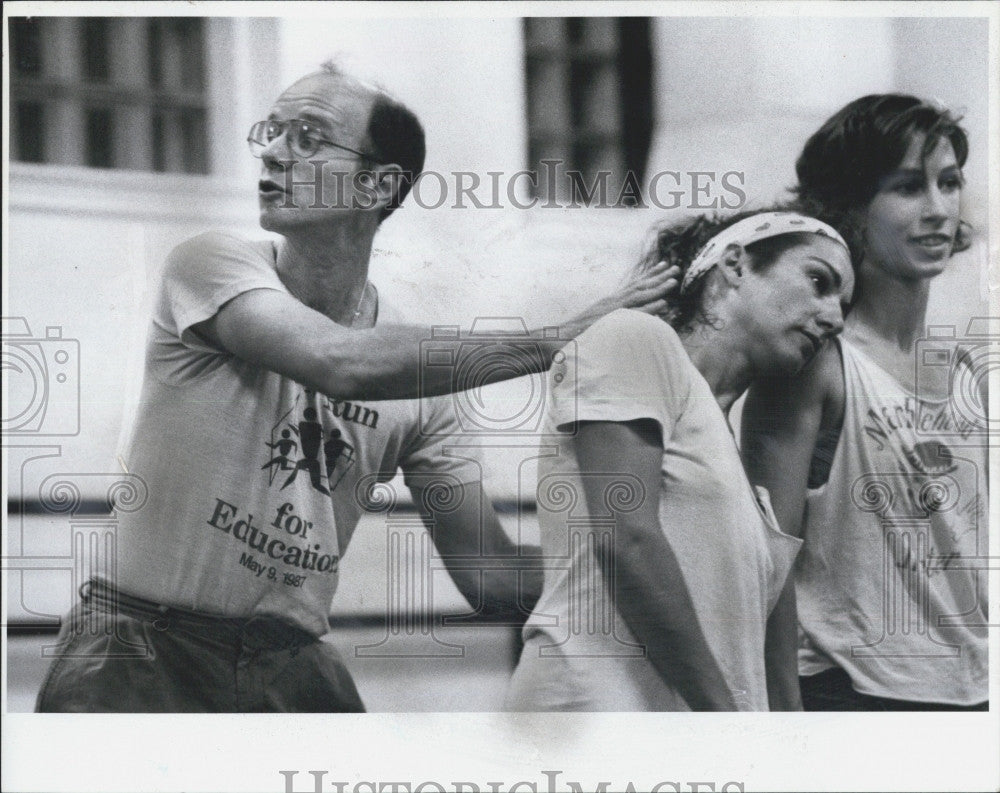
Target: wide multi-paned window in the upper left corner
[109, 92]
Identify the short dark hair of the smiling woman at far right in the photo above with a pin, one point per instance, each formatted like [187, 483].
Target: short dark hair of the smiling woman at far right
[842, 165]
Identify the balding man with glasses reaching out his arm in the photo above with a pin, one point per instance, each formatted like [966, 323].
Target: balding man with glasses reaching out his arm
[267, 360]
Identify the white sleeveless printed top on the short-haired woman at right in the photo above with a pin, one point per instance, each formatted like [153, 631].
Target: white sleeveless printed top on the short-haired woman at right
[886, 583]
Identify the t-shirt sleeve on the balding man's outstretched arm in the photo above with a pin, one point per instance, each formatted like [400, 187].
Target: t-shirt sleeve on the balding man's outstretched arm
[204, 273]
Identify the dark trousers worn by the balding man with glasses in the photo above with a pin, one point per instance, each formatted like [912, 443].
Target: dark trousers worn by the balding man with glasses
[118, 653]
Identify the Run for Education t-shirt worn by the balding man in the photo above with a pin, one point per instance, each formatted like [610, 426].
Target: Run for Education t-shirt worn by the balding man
[255, 483]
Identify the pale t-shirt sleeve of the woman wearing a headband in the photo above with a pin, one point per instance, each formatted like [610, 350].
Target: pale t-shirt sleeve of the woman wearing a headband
[625, 367]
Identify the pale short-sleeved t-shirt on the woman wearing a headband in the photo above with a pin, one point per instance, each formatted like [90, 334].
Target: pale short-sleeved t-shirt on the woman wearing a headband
[579, 654]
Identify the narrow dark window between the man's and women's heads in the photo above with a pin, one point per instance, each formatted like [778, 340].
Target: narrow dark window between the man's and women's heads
[589, 86]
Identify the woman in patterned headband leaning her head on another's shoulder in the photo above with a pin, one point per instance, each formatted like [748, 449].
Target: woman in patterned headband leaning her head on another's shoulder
[662, 563]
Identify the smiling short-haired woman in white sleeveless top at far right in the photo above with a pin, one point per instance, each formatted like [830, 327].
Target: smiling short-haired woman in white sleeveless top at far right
[866, 453]
